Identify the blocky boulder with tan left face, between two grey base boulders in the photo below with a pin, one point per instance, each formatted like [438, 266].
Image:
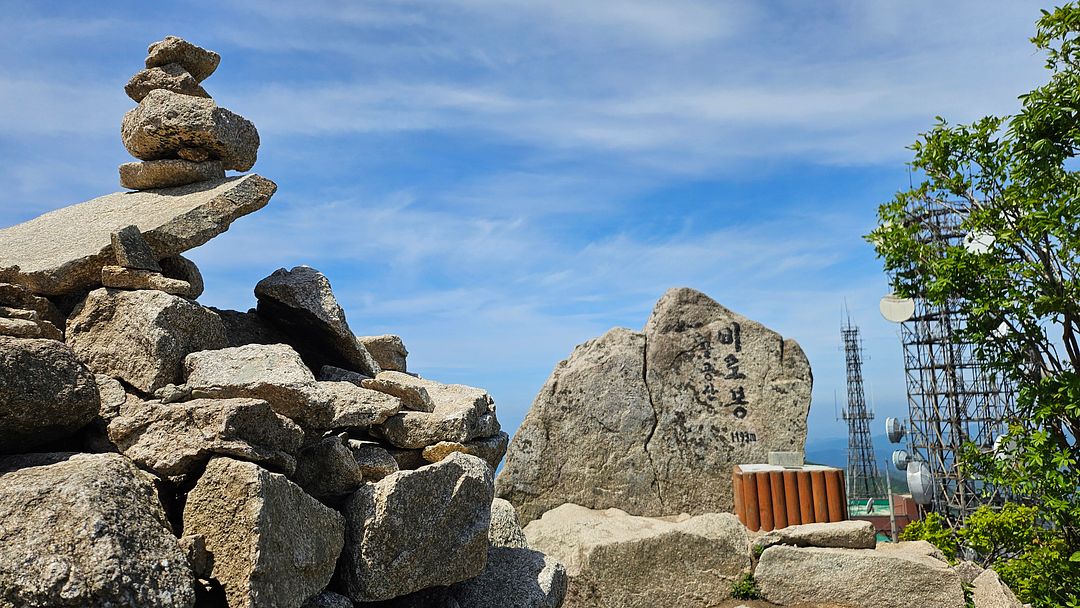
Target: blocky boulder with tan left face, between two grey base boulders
[273, 544]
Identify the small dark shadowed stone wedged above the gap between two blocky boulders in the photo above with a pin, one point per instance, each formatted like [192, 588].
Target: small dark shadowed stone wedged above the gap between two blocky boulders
[328, 469]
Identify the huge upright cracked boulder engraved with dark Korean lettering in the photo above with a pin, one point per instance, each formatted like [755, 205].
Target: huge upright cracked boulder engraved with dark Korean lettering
[652, 423]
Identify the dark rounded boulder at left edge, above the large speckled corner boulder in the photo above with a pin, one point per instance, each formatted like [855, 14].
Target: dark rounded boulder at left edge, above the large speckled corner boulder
[46, 394]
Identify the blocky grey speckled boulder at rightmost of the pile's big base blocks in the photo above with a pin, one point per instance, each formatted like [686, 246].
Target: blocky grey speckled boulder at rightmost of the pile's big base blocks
[416, 530]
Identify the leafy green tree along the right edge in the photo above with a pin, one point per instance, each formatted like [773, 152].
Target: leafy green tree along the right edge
[1014, 183]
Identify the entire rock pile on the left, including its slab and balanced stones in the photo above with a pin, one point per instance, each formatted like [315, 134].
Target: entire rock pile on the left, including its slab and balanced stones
[159, 453]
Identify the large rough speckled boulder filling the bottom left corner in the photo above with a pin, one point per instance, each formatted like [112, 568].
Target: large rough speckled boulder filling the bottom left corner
[86, 531]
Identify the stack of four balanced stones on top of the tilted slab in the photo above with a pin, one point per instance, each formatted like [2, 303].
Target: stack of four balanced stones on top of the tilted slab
[178, 132]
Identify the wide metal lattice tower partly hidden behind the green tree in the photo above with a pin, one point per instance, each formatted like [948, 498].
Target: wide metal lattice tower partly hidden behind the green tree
[953, 397]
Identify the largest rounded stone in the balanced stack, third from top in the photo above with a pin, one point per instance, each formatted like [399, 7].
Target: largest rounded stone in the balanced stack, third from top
[166, 123]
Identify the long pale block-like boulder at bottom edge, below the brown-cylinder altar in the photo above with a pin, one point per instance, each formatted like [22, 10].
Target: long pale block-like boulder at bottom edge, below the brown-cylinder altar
[855, 578]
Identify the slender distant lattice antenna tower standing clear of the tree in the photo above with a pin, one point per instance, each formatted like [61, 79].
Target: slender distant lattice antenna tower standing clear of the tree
[865, 481]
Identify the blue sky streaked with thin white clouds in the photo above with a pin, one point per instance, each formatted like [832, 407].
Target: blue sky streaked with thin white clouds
[498, 182]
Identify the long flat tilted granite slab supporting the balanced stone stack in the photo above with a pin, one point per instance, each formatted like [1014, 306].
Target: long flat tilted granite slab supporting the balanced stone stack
[64, 251]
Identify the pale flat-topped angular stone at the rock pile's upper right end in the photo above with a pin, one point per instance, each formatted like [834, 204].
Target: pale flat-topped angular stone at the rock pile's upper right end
[462, 414]
